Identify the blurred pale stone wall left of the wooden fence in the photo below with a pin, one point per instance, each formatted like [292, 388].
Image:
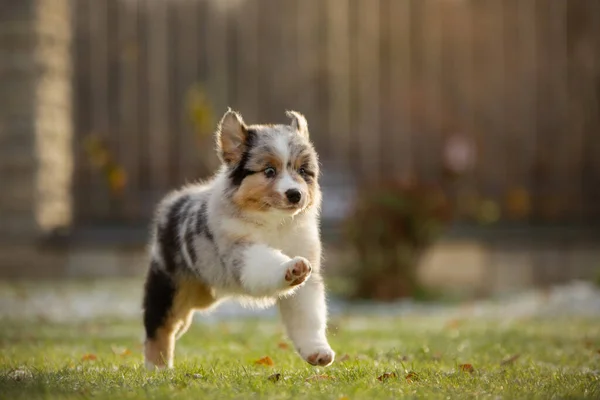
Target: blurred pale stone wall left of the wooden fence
[35, 118]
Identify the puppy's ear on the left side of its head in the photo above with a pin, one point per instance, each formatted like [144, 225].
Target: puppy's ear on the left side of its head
[231, 137]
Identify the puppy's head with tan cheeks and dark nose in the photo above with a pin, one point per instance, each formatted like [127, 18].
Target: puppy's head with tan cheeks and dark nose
[270, 168]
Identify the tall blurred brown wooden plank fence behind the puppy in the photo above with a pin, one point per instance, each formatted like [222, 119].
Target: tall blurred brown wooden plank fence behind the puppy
[391, 88]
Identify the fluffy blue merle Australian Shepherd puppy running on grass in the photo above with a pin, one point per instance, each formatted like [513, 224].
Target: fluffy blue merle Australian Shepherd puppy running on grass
[251, 233]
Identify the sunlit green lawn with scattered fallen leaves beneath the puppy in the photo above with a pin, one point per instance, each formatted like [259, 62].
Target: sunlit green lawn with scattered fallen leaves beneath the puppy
[557, 359]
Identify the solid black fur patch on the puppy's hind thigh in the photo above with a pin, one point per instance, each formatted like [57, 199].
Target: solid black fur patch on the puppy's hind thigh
[159, 292]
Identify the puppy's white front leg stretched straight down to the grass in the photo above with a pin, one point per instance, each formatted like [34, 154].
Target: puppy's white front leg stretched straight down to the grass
[304, 314]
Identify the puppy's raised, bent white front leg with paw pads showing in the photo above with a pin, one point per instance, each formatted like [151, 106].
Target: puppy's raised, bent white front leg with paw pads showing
[267, 272]
